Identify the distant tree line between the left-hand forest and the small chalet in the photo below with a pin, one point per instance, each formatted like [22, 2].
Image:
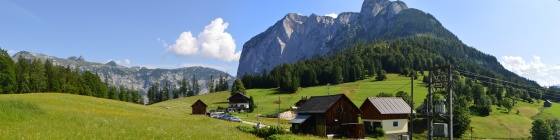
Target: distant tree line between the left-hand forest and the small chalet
[184, 88]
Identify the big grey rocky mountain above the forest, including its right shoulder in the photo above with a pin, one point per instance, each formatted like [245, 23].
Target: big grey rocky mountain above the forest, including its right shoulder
[296, 37]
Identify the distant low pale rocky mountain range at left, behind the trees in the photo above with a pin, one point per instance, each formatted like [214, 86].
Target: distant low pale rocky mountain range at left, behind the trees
[139, 78]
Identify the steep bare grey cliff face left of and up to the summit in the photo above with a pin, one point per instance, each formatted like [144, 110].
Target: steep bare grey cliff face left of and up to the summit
[296, 37]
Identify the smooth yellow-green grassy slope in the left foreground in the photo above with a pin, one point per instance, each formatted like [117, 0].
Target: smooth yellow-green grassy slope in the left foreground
[65, 116]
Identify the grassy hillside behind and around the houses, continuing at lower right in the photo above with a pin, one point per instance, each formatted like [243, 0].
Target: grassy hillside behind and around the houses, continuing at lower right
[498, 125]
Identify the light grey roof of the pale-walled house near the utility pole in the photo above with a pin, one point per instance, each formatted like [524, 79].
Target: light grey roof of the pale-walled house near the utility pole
[390, 105]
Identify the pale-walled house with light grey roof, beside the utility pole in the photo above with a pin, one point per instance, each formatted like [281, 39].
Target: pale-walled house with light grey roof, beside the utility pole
[389, 113]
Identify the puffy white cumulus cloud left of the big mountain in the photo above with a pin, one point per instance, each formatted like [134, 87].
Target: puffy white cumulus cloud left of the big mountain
[212, 43]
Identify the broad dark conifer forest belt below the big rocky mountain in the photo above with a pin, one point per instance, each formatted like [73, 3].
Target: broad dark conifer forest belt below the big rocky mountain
[402, 56]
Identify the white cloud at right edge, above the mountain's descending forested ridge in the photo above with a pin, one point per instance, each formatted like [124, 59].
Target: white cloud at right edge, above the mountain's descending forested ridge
[544, 74]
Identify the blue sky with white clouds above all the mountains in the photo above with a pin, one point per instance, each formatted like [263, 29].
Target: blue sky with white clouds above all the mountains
[523, 35]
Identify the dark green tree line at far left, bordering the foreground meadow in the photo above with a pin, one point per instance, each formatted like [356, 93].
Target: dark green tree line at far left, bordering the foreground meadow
[35, 76]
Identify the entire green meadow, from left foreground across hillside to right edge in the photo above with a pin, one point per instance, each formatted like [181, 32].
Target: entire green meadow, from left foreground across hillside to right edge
[66, 116]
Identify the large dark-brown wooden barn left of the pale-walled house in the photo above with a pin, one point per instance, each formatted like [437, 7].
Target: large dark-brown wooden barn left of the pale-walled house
[325, 115]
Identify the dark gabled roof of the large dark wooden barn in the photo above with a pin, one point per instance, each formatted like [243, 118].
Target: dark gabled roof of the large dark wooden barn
[320, 104]
